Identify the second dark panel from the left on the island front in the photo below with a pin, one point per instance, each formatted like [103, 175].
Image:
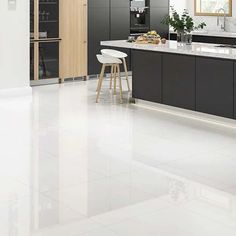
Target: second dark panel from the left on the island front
[179, 81]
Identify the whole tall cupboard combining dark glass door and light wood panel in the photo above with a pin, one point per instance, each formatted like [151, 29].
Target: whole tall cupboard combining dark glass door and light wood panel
[58, 40]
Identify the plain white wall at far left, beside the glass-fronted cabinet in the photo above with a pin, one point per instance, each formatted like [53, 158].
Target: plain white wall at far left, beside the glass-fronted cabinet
[14, 45]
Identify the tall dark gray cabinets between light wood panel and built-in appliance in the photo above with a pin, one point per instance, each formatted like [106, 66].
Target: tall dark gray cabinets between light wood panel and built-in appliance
[107, 20]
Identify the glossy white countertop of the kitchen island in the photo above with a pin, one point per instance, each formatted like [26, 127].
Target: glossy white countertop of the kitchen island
[196, 49]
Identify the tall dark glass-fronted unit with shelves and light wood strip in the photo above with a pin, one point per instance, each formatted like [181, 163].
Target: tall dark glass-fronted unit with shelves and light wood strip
[44, 41]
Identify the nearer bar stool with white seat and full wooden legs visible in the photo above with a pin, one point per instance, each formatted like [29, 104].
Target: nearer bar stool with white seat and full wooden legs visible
[114, 63]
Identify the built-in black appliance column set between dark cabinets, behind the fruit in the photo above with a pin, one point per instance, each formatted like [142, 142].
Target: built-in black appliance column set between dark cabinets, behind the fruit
[139, 16]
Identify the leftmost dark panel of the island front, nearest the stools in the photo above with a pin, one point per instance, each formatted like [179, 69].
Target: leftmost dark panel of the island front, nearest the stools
[147, 75]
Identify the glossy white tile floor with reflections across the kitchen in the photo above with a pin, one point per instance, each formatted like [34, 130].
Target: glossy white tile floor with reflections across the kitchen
[70, 167]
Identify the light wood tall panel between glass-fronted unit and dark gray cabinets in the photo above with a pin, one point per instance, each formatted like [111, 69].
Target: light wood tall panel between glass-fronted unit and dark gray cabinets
[73, 32]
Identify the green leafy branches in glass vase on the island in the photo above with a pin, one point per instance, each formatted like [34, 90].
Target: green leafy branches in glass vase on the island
[183, 25]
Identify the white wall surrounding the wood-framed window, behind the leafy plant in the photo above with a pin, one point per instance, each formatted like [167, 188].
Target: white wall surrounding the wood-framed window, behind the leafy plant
[210, 20]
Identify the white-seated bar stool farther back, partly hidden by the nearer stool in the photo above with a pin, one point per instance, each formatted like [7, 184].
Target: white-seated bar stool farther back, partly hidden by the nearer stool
[119, 55]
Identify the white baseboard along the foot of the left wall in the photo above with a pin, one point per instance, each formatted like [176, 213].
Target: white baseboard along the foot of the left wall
[15, 92]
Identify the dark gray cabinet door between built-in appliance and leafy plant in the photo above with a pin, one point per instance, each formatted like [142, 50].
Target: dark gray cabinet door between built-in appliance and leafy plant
[157, 14]
